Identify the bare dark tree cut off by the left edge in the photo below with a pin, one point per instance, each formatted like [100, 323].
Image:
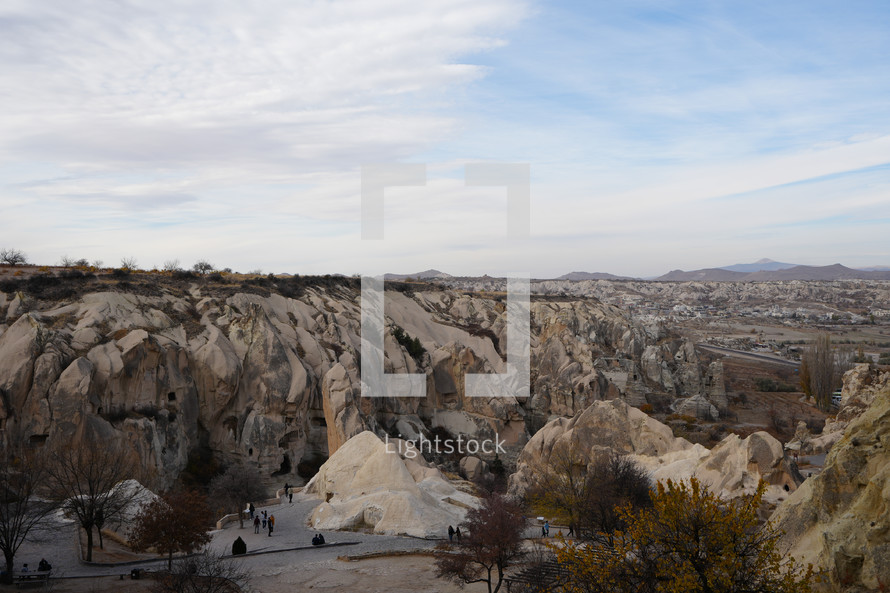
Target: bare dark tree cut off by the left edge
[22, 511]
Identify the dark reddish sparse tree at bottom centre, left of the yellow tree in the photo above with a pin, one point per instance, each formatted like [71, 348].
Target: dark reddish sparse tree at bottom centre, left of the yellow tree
[492, 543]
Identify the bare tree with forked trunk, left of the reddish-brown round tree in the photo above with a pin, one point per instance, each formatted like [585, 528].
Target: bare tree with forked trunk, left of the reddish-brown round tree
[85, 480]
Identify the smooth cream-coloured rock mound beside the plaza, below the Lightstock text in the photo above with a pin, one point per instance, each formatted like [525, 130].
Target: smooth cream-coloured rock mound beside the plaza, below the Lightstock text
[368, 484]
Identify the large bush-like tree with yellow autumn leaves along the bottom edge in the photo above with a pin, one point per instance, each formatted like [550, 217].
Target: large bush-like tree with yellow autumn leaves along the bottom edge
[689, 541]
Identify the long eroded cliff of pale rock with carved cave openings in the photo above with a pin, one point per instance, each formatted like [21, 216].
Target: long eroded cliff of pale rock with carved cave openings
[266, 369]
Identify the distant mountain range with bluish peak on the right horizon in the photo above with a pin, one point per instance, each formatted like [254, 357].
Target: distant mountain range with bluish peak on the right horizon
[833, 272]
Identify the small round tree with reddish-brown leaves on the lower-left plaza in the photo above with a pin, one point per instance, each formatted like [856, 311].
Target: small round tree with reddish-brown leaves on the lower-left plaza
[174, 522]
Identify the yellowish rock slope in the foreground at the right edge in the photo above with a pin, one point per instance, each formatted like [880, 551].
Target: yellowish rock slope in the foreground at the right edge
[839, 520]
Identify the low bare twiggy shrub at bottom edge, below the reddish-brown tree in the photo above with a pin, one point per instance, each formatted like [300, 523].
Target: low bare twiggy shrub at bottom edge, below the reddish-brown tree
[205, 573]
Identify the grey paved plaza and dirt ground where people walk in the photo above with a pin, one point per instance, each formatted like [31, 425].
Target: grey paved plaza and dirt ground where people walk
[286, 561]
